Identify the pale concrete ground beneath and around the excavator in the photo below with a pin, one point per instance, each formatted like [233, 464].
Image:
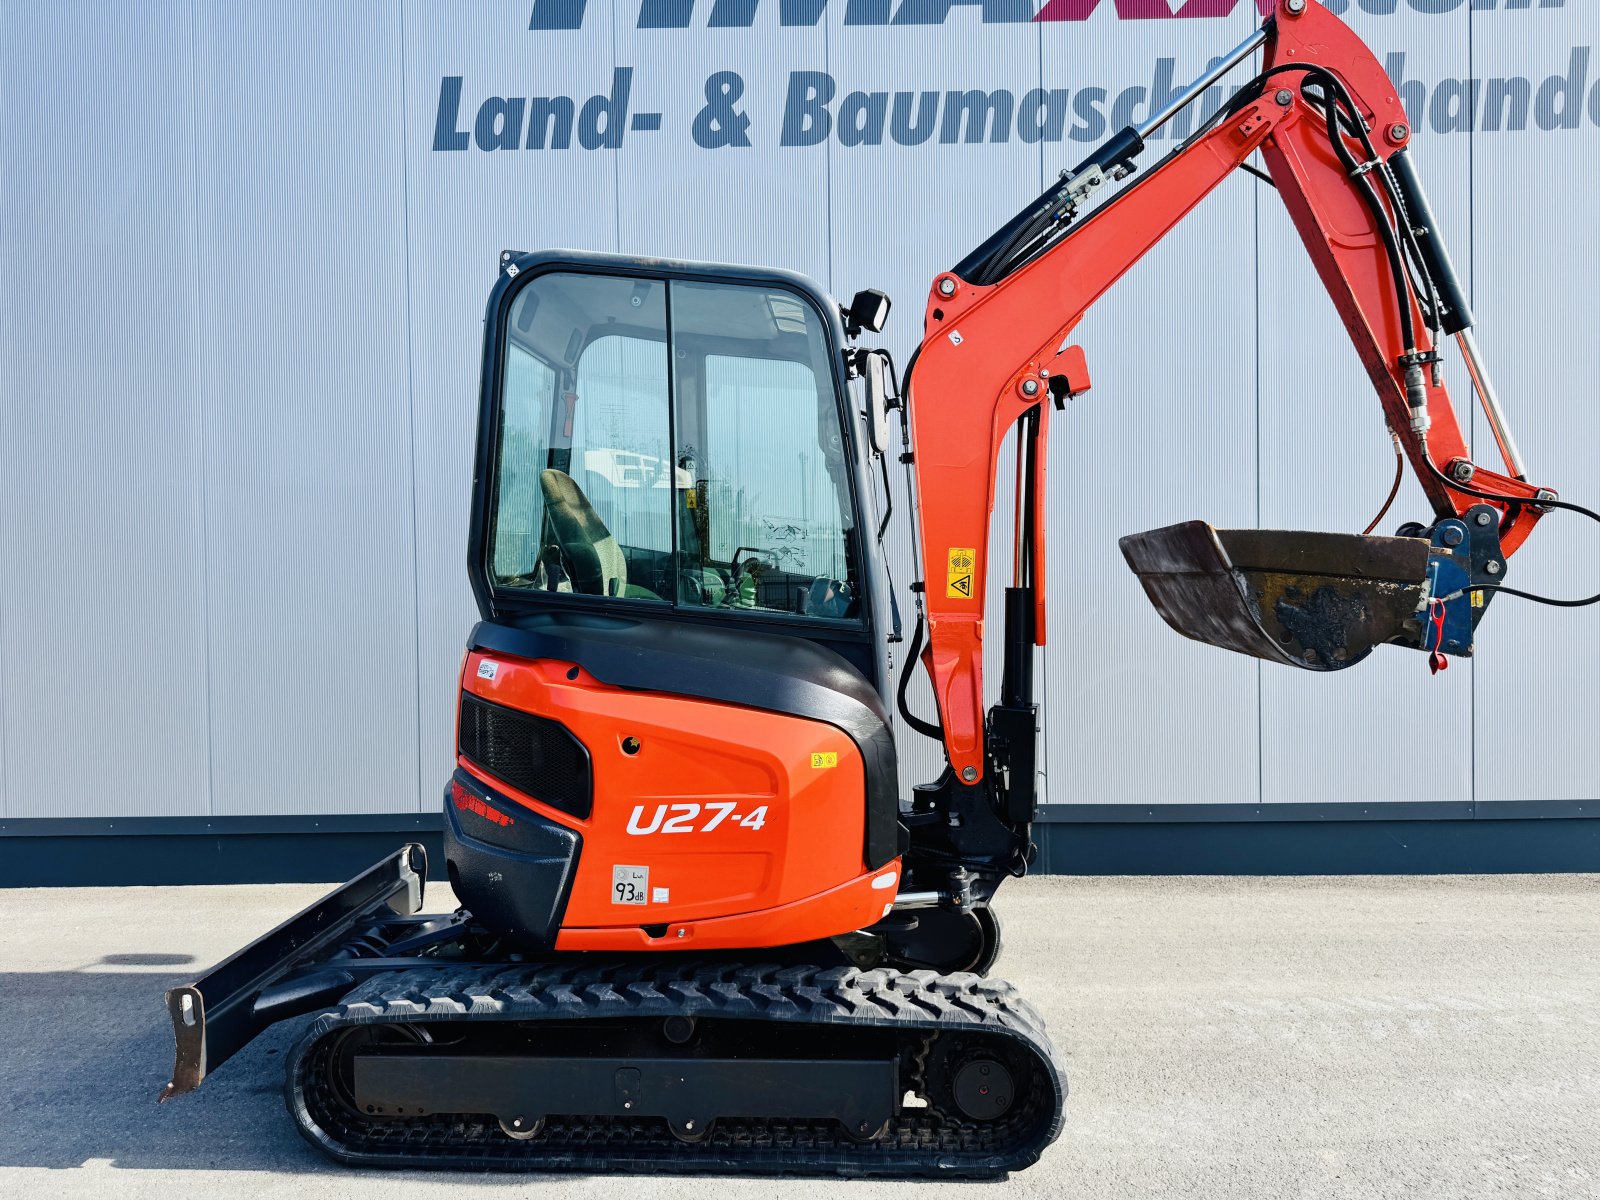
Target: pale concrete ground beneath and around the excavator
[1225, 1038]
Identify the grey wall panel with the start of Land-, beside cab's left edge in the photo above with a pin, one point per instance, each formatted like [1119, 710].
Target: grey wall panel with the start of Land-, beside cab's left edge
[465, 209]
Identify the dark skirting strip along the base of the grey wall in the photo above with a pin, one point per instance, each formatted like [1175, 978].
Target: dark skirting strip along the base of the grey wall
[1348, 839]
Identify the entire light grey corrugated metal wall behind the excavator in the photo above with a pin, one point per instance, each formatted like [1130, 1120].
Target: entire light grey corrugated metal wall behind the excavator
[239, 345]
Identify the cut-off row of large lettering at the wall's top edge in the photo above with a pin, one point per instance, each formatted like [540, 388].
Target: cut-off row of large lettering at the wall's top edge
[742, 14]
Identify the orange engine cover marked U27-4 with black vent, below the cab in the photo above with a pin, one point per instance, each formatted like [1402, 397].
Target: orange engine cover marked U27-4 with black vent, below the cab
[679, 820]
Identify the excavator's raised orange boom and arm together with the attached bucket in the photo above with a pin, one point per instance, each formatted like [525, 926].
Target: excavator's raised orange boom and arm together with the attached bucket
[996, 354]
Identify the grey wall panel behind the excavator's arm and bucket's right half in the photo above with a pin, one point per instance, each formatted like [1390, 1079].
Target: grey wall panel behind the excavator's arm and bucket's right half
[1327, 465]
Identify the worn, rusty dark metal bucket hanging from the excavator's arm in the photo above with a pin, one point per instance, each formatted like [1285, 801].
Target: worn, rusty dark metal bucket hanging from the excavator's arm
[1313, 601]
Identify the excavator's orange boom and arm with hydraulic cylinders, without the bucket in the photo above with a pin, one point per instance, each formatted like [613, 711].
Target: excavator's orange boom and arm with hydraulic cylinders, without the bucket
[996, 330]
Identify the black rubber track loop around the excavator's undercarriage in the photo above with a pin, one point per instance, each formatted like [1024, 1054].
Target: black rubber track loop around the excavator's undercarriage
[924, 1006]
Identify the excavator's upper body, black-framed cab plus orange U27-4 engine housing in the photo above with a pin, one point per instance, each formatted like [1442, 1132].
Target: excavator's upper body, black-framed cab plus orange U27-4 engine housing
[673, 719]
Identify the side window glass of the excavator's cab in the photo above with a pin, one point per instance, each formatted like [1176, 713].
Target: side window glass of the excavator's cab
[673, 444]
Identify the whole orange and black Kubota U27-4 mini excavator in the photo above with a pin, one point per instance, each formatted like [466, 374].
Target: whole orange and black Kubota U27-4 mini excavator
[700, 927]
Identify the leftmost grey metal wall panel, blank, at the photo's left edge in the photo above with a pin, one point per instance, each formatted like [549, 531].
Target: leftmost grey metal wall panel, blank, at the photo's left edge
[102, 591]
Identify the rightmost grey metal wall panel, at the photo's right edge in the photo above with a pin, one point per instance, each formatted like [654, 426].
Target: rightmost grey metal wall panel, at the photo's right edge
[1538, 278]
